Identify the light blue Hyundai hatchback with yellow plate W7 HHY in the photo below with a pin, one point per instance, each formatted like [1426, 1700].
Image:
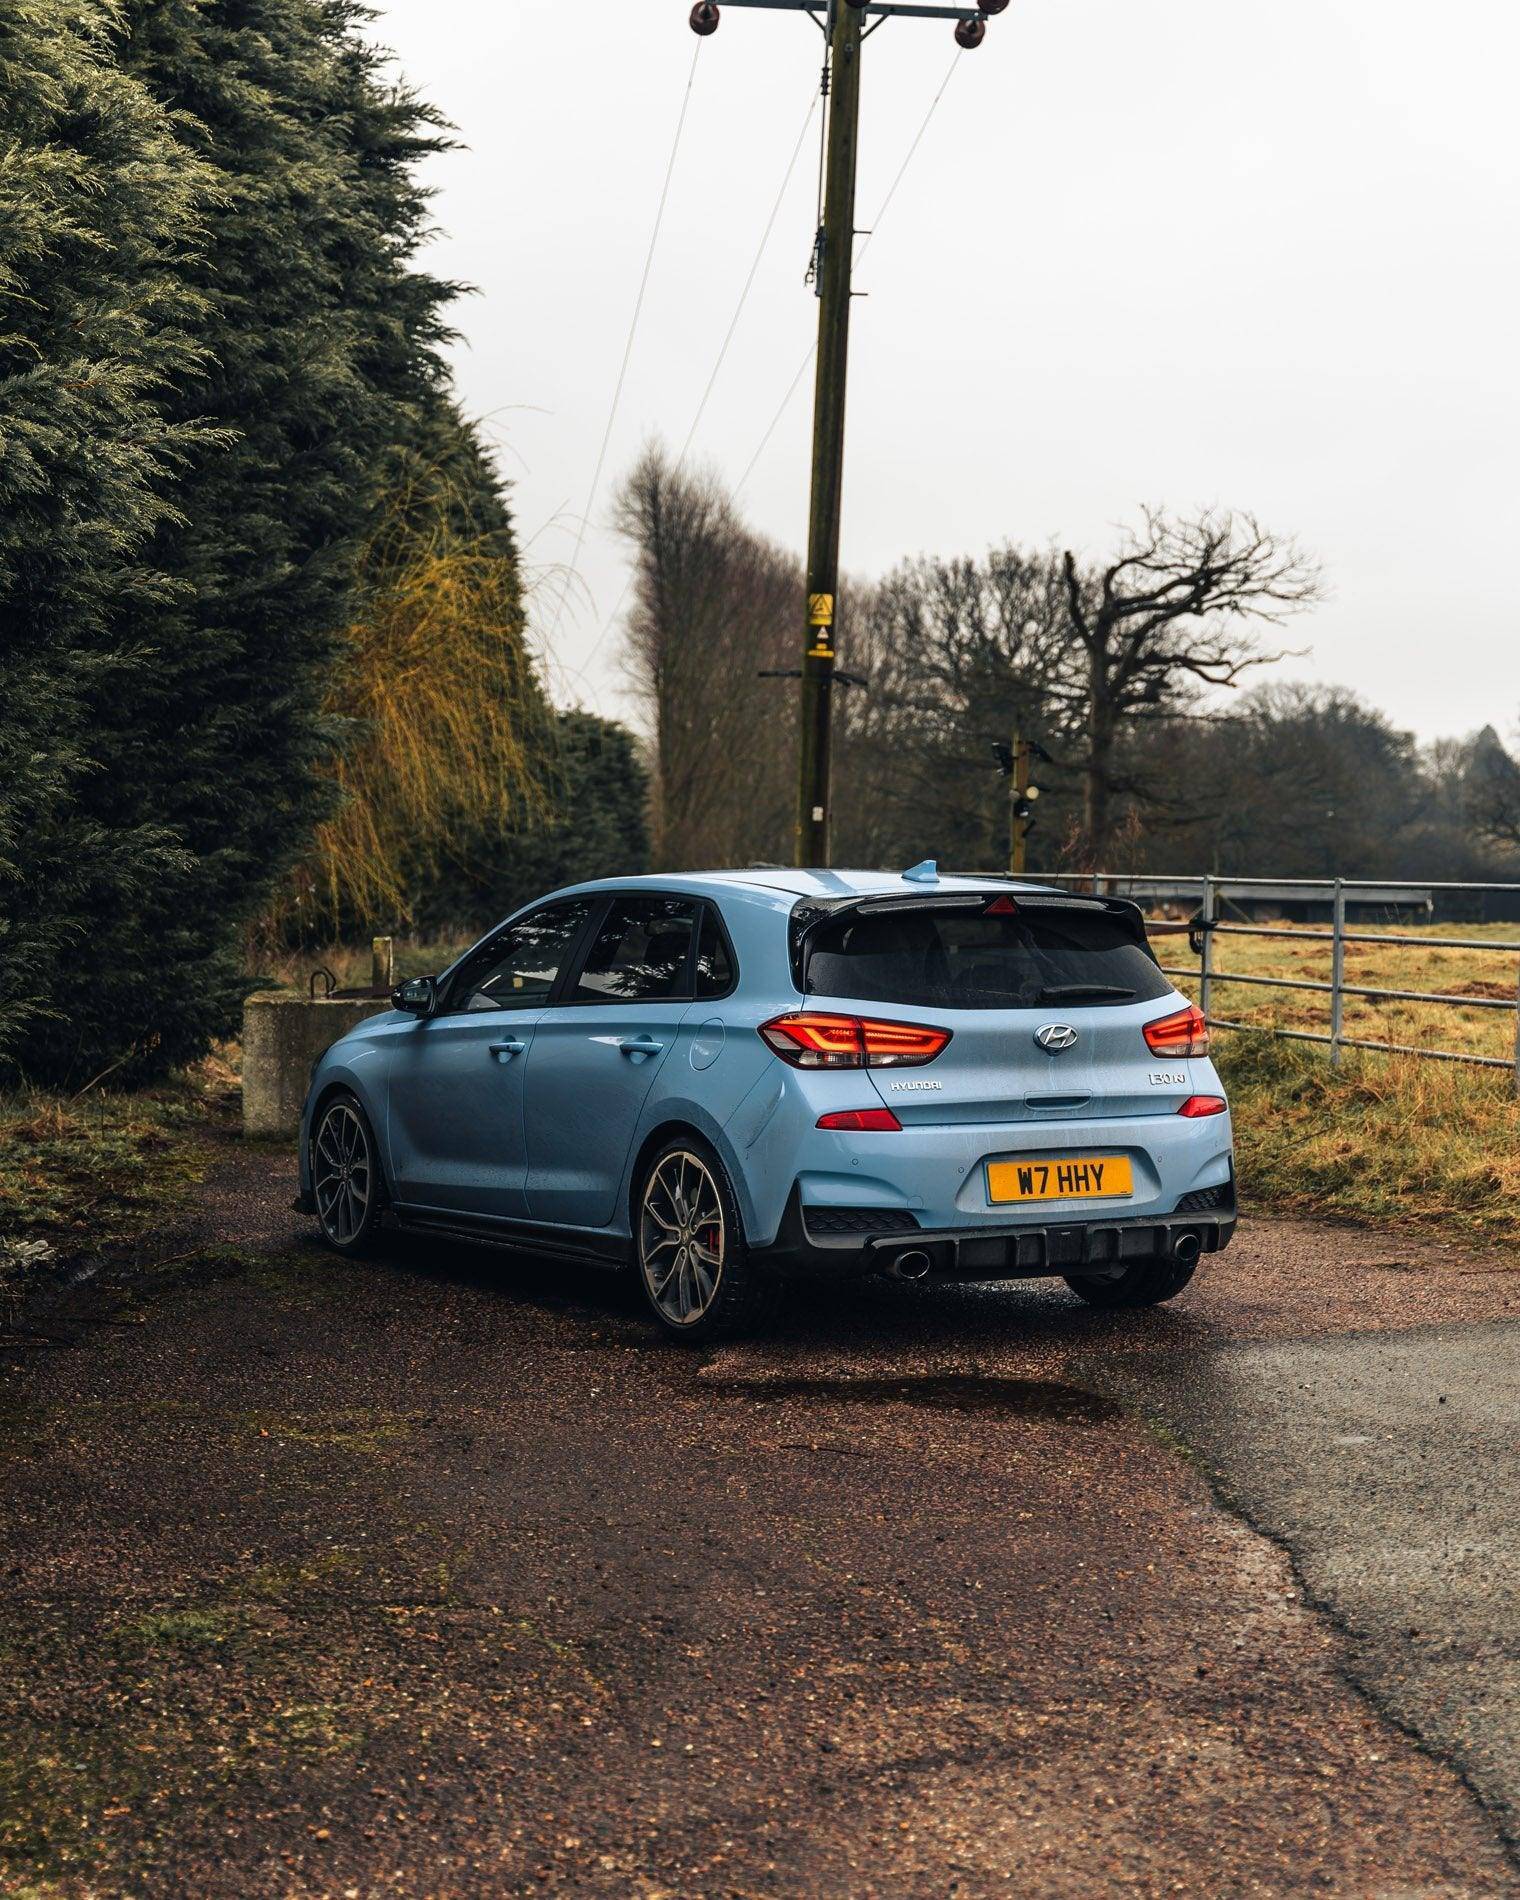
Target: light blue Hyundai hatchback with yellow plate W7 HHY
[736, 1078]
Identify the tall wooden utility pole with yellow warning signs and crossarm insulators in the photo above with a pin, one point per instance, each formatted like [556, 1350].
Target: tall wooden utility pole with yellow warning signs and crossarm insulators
[845, 24]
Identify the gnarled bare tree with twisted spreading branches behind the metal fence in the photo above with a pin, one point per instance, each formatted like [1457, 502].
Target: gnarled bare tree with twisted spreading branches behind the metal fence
[1173, 613]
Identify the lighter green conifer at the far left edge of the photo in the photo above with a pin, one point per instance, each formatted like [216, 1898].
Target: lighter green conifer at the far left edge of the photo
[100, 212]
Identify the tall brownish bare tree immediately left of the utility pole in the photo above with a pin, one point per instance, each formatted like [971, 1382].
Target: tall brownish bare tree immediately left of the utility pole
[713, 607]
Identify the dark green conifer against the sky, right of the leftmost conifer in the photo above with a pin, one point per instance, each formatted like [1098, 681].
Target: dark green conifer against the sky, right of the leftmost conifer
[322, 370]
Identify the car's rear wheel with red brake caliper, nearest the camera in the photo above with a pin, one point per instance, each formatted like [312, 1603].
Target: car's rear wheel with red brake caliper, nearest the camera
[691, 1251]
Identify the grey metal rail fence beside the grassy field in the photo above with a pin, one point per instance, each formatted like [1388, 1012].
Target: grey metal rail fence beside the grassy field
[1207, 926]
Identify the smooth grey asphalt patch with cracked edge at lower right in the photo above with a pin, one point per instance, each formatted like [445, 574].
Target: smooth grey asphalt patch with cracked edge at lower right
[1390, 1466]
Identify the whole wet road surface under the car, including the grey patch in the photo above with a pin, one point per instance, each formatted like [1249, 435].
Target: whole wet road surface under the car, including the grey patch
[444, 1576]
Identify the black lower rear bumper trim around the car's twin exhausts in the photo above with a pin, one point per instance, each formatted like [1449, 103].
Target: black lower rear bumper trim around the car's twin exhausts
[1006, 1253]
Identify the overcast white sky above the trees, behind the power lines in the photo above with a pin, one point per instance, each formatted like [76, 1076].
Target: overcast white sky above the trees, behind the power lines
[1255, 254]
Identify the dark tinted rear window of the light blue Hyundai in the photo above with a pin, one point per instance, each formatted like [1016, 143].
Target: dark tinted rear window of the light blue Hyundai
[970, 960]
